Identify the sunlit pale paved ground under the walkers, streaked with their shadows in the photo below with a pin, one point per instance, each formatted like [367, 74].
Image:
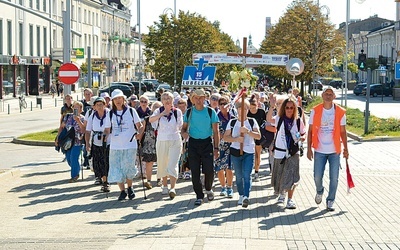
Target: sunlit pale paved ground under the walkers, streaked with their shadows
[41, 210]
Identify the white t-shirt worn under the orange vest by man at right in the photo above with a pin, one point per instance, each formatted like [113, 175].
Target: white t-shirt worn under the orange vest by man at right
[325, 133]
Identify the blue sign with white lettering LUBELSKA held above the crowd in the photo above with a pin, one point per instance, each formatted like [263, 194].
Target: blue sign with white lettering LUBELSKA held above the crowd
[200, 76]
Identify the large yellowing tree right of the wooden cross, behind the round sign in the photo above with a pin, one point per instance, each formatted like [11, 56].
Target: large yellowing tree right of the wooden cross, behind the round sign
[302, 32]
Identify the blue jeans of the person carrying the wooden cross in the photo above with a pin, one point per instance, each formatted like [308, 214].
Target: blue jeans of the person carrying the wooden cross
[243, 166]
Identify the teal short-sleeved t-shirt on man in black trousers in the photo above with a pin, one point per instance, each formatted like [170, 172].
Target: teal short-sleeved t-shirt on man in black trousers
[200, 125]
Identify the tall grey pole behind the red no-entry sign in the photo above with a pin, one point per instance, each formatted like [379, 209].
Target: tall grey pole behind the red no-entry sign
[67, 40]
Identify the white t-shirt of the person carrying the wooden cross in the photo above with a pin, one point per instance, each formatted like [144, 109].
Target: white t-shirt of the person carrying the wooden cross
[248, 143]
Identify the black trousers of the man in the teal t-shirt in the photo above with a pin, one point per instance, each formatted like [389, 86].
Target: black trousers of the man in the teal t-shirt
[201, 160]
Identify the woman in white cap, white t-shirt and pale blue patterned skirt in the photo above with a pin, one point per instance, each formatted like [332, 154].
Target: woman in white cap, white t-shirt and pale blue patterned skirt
[125, 124]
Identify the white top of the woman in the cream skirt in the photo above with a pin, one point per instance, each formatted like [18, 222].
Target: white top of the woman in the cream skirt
[168, 130]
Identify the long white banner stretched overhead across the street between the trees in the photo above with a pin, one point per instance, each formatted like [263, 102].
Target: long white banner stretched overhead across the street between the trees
[266, 59]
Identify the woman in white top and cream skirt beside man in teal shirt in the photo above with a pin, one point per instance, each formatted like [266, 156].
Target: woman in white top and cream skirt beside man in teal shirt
[168, 121]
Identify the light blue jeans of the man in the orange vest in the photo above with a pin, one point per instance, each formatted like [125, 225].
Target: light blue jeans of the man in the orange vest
[320, 160]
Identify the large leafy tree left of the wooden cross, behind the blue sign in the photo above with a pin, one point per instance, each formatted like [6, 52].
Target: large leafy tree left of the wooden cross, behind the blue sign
[187, 34]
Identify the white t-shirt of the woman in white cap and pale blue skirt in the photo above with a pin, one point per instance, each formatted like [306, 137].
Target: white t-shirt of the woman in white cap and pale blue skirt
[123, 134]
